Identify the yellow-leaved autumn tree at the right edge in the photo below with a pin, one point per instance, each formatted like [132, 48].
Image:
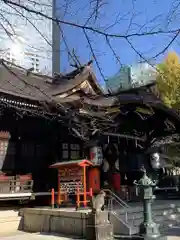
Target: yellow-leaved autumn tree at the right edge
[168, 80]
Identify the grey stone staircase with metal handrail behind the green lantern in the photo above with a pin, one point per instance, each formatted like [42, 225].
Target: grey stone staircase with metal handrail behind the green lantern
[126, 218]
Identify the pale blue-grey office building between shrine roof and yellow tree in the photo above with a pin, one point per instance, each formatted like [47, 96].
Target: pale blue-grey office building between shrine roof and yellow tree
[131, 77]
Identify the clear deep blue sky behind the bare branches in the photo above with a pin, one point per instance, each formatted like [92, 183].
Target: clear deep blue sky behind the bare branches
[134, 16]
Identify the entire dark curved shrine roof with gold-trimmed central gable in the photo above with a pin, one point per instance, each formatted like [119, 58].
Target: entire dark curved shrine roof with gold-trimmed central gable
[80, 92]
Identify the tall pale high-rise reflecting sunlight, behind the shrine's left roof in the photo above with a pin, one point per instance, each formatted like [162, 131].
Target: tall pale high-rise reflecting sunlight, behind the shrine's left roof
[28, 39]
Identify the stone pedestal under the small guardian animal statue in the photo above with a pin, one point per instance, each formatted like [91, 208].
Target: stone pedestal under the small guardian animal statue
[98, 227]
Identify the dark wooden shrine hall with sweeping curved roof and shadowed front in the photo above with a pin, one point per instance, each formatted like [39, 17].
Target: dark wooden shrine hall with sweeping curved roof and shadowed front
[45, 120]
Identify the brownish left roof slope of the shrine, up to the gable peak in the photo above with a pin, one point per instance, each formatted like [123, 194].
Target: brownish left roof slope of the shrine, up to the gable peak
[16, 81]
